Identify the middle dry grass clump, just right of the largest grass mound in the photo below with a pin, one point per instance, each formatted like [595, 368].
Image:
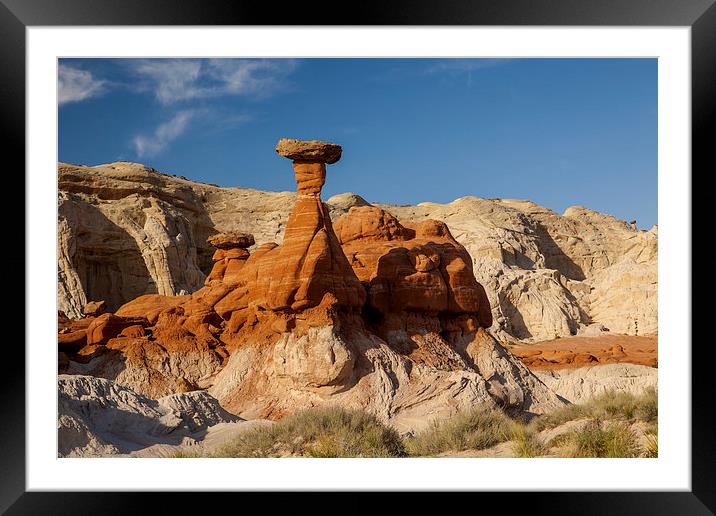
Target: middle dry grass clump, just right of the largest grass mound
[474, 430]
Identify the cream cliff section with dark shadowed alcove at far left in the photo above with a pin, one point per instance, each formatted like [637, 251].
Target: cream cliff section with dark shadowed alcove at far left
[124, 234]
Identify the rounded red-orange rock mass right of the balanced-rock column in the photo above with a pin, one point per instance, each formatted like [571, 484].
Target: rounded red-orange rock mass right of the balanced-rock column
[411, 269]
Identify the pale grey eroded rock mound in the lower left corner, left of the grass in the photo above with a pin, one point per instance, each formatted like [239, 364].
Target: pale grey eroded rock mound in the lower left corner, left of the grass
[98, 417]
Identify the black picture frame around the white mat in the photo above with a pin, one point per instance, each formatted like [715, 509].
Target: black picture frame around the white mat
[17, 15]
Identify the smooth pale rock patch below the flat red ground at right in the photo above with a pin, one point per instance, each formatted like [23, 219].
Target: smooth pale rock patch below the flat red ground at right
[584, 383]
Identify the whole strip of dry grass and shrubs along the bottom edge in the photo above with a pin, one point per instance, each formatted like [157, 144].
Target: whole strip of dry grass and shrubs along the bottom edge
[611, 425]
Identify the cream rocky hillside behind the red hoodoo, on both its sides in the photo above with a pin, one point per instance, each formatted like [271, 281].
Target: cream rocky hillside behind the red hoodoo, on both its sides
[126, 230]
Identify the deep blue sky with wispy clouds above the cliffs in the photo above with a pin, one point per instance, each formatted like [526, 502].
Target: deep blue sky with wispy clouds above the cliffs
[559, 132]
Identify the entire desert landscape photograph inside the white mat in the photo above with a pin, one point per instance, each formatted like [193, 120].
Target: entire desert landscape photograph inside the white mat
[357, 257]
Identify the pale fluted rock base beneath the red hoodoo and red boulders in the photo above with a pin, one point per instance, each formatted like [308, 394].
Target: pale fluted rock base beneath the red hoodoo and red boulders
[359, 370]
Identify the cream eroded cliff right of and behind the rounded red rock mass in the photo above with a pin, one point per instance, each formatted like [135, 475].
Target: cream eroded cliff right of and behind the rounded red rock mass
[548, 275]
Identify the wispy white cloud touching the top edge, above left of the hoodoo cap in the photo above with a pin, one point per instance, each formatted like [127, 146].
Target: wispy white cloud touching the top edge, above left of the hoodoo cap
[175, 80]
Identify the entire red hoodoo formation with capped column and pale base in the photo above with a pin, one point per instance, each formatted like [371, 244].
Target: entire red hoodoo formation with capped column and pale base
[377, 314]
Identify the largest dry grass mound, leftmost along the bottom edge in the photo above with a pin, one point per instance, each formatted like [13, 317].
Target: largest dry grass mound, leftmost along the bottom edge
[325, 432]
